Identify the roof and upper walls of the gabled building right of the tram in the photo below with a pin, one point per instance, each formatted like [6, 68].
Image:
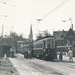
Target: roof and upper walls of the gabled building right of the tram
[65, 37]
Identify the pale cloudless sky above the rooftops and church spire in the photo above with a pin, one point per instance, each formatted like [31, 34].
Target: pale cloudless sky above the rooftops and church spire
[22, 13]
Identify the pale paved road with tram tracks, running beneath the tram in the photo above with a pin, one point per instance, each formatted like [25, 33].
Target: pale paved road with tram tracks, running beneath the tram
[42, 67]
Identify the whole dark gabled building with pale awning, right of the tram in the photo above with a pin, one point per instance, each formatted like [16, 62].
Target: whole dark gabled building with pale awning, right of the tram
[65, 39]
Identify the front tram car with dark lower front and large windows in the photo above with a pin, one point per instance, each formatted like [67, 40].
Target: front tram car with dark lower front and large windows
[45, 48]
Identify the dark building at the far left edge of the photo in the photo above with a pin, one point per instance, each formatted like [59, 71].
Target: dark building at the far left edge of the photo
[6, 42]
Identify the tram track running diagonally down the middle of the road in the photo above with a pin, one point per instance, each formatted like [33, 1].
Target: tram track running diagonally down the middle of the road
[42, 68]
